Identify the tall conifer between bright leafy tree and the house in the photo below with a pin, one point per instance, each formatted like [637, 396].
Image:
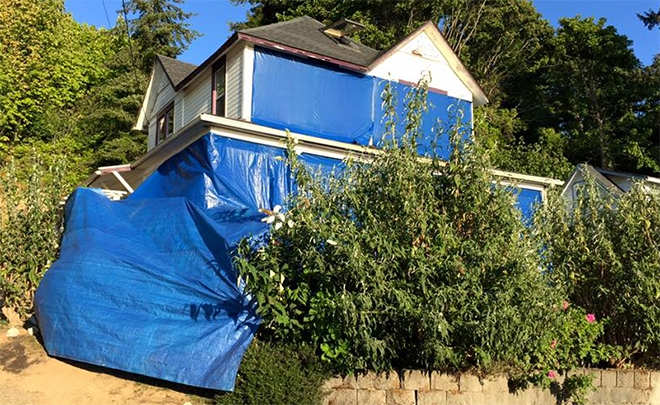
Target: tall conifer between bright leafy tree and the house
[107, 117]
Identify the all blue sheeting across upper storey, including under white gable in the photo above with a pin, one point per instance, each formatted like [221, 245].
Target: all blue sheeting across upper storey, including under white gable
[318, 99]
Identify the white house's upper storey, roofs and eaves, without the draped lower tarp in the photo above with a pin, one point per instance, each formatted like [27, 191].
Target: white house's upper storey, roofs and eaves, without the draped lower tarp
[310, 79]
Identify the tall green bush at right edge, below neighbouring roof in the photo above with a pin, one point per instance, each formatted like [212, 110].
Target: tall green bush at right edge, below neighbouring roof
[605, 251]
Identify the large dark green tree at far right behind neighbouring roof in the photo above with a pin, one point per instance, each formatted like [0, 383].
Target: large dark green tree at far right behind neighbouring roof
[592, 94]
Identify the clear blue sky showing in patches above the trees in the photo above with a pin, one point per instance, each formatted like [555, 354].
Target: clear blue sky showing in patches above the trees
[214, 15]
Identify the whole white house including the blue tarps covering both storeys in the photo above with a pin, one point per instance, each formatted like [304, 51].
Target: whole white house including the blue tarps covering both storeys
[148, 285]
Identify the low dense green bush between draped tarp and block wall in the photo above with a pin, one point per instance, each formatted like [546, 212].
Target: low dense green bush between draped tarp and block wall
[277, 374]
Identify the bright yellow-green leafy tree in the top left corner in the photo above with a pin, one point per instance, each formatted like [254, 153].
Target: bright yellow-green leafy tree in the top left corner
[48, 62]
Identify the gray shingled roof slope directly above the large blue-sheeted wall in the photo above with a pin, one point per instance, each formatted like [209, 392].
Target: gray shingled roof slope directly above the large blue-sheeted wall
[305, 33]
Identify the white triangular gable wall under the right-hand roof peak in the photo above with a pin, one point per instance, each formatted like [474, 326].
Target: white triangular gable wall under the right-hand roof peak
[418, 57]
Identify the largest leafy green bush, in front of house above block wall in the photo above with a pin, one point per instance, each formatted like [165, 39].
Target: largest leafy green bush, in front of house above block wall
[408, 263]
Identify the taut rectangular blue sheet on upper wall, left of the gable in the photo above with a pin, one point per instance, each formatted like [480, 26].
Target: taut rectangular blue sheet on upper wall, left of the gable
[311, 98]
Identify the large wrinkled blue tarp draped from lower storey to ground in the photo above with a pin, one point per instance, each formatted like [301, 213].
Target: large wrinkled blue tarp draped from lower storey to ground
[146, 285]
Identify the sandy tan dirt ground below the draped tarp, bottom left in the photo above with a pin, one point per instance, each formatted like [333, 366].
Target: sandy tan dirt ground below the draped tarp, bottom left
[29, 377]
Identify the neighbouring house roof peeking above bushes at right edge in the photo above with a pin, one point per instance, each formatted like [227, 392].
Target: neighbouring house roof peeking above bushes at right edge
[615, 183]
